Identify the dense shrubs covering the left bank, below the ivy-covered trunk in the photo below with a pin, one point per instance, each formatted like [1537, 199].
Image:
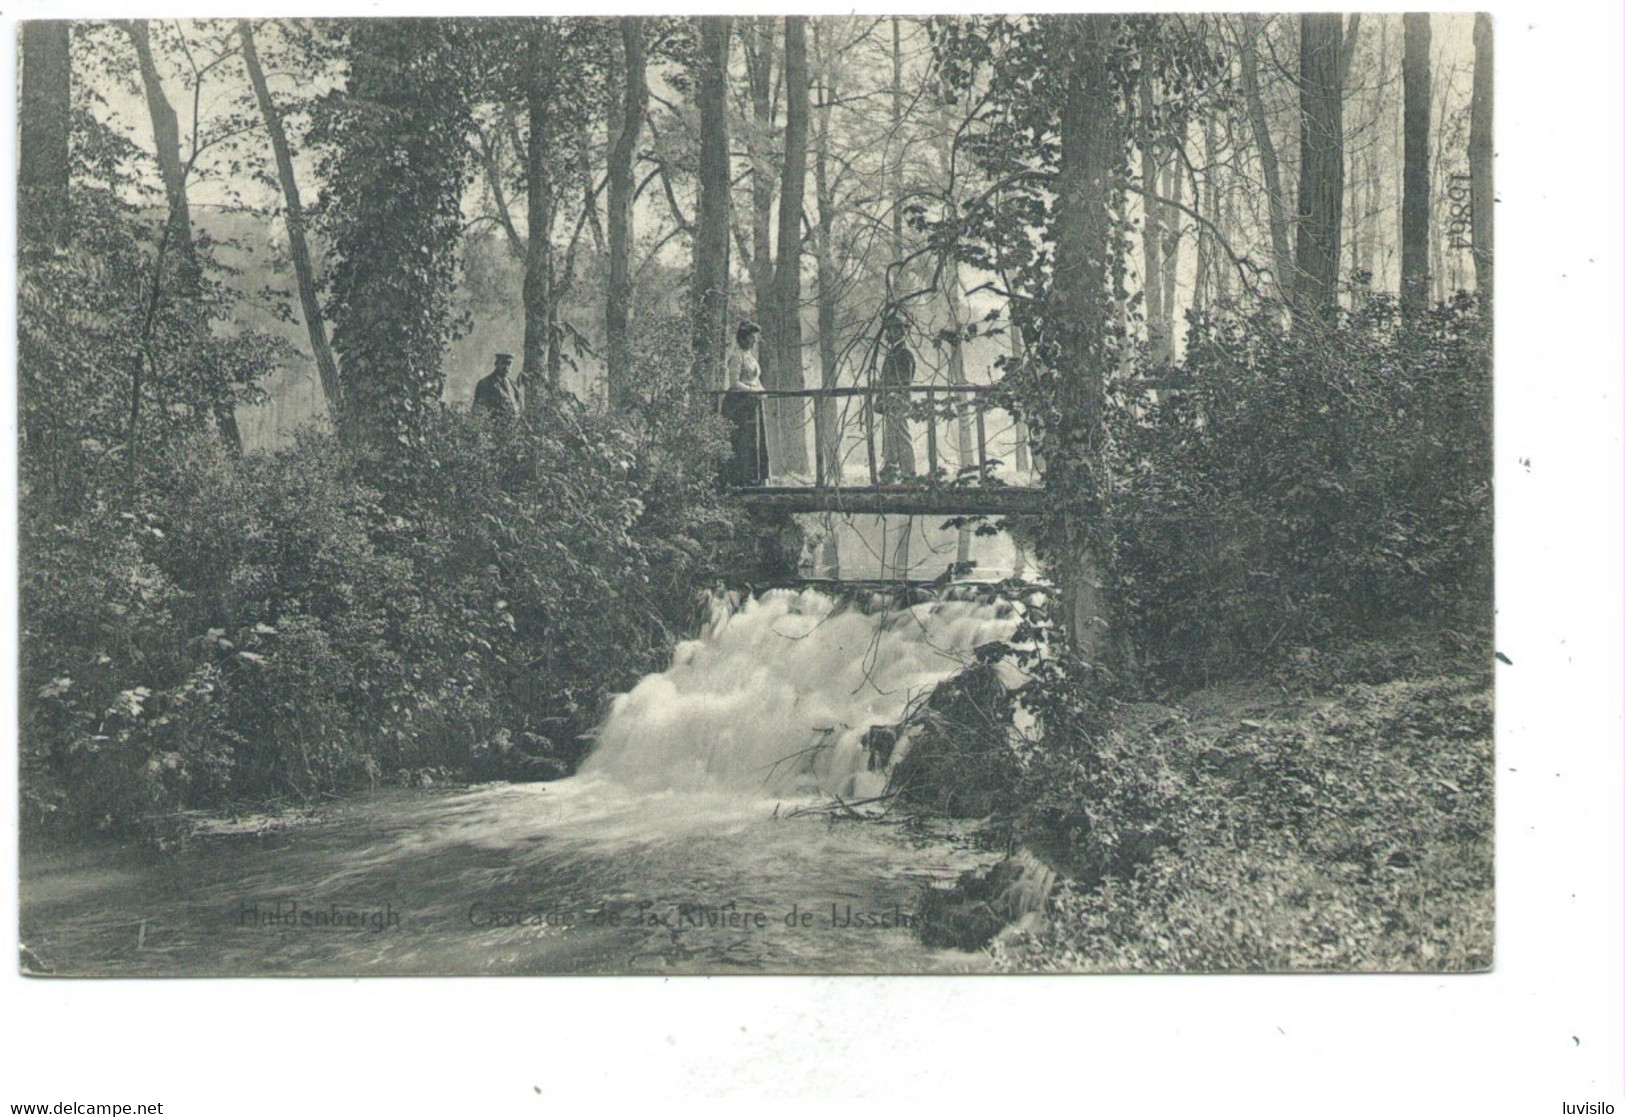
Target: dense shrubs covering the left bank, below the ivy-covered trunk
[287, 625]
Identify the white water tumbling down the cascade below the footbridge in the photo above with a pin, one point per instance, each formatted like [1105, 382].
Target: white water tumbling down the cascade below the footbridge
[776, 697]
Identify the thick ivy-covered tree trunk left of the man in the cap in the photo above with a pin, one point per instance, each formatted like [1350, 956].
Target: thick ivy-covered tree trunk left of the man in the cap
[399, 136]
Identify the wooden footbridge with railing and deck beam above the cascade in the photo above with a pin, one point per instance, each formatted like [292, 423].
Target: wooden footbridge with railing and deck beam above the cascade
[862, 448]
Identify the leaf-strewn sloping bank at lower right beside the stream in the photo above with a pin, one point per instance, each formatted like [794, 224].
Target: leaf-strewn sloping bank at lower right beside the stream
[1335, 815]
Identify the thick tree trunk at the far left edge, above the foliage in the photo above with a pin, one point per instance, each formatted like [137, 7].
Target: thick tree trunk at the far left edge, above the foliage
[43, 123]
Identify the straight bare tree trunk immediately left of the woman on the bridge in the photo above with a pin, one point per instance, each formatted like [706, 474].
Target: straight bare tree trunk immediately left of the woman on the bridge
[711, 233]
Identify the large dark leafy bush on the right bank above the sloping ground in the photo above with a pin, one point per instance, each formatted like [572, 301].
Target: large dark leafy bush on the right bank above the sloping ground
[1302, 485]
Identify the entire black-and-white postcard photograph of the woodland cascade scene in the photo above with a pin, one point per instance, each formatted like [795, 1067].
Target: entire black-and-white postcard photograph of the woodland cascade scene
[665, 495]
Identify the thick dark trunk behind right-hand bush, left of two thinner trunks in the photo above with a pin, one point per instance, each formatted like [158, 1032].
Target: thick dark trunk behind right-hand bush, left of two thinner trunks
[1320, 178]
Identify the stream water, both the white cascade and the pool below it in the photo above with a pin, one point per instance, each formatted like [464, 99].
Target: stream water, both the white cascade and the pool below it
[677, 850]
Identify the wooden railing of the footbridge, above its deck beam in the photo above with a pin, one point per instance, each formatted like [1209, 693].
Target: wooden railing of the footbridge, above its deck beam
[867, 437]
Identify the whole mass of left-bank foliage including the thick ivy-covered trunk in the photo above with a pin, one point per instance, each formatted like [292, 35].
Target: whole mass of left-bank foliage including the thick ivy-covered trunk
[204, 630]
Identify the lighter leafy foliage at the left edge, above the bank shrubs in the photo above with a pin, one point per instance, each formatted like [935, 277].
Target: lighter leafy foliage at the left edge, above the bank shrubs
[116, 355]
